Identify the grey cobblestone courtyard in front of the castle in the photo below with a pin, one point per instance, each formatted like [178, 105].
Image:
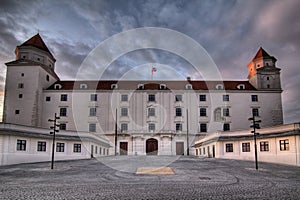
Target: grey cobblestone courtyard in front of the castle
[116, 178]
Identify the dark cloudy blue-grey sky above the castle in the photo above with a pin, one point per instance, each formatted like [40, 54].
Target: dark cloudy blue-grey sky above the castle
[230, 31]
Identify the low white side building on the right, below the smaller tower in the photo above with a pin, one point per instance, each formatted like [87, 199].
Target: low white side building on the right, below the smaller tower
[277, 144]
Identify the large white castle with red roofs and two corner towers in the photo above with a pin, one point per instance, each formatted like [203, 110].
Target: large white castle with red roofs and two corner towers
[150, 117]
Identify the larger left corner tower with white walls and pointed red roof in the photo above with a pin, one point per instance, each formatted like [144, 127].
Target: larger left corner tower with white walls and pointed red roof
[27, 76]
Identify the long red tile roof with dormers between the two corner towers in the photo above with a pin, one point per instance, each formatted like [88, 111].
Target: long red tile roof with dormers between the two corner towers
[151, 85]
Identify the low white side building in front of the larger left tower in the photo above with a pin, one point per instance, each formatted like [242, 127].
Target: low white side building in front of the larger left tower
[23, 144]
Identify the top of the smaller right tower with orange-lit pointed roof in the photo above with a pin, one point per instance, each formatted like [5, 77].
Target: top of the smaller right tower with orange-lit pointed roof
[263, 73]
